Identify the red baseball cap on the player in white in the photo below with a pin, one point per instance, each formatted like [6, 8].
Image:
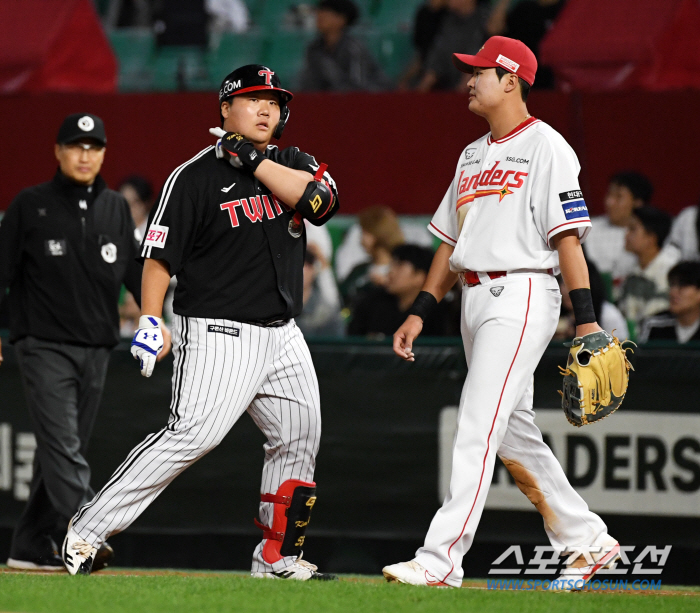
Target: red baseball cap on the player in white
[507, 53]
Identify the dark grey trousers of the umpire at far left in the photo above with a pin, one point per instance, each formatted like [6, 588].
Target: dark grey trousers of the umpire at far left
[63, 386]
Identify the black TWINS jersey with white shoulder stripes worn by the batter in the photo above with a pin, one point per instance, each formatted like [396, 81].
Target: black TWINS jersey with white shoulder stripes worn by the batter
[237, 251]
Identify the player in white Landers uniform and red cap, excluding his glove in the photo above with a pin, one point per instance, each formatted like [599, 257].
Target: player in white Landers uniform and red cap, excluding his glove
[513, 217]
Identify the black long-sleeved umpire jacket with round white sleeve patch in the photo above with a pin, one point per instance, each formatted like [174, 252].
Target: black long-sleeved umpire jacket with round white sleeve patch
[65, 250]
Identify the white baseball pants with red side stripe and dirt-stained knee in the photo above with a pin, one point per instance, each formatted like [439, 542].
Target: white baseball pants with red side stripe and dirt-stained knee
[504, 337]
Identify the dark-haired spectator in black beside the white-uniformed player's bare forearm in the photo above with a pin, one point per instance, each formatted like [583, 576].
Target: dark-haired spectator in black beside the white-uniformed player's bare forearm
[381, 311]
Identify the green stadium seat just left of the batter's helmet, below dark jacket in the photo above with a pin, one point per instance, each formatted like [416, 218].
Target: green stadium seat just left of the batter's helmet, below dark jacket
[178, 68]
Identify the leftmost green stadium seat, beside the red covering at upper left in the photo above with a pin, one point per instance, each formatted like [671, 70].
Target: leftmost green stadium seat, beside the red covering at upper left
[134, 48]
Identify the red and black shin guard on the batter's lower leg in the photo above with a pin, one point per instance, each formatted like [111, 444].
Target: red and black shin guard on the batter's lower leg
[291, 515]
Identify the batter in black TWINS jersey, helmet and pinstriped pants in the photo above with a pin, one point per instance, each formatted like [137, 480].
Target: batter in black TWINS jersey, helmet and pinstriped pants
[229, 223]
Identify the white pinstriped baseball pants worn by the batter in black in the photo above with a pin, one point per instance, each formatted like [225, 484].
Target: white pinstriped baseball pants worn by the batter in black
[218, 374]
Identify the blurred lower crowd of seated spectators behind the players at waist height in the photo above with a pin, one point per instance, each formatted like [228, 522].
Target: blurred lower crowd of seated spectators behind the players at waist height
[644, 268]
